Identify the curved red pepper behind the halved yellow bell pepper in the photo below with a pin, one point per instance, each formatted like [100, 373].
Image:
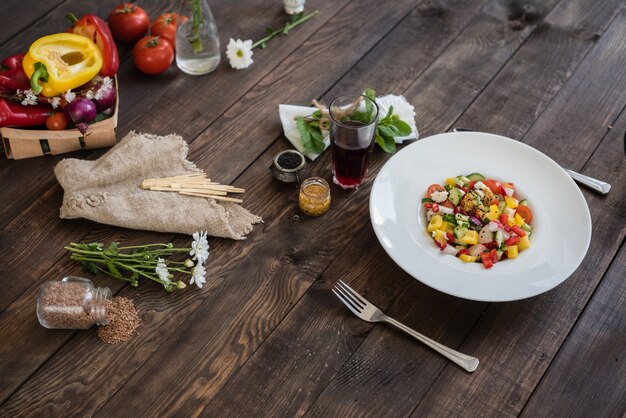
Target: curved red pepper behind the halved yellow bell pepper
[96, 29]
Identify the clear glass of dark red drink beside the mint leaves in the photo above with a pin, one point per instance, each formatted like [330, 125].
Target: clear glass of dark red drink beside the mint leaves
[353, 129]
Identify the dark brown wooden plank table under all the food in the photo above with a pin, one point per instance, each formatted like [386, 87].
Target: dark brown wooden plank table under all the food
[266, 336]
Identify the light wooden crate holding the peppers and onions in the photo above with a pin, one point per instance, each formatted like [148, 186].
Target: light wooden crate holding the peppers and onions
[26, 143]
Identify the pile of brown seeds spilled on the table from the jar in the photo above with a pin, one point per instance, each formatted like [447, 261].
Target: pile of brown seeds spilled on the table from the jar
[123, 320]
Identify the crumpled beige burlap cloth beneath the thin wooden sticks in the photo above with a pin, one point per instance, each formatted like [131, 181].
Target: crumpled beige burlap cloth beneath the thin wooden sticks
[107, 191]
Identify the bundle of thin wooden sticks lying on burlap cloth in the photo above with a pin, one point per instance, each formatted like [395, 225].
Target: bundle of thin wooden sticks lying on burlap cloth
[193, 185]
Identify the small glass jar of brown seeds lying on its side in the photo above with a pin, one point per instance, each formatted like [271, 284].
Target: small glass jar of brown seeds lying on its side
[72, 303]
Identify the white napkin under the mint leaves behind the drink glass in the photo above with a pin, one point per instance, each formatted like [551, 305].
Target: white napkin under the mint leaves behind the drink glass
[401, 107]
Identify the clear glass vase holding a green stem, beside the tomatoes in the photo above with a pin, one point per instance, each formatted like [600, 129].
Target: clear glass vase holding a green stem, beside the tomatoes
[197, 41]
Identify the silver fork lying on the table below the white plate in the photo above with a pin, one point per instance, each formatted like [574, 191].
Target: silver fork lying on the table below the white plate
[370, 313]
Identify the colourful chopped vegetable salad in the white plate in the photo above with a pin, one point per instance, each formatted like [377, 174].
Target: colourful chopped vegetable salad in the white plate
[478, 219]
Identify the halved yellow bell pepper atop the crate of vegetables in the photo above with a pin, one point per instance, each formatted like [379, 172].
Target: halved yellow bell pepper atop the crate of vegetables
[61, 62]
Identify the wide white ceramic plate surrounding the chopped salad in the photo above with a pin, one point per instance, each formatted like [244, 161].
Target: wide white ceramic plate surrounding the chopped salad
[561, 220]
